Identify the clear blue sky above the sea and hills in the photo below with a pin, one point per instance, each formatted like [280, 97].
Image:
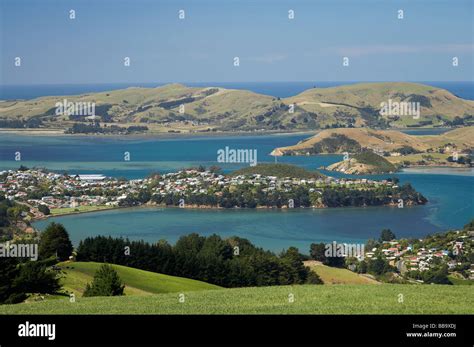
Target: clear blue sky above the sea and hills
[201, 48]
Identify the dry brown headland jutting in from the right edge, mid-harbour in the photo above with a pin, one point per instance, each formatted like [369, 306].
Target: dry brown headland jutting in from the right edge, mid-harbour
[390, 149]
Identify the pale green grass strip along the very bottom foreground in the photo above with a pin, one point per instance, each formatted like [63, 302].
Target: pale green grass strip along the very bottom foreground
[308, 299]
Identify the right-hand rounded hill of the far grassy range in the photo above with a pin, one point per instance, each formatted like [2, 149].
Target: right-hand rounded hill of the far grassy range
[358, 104]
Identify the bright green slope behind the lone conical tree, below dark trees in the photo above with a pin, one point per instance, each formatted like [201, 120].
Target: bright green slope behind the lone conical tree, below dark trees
[137, 282]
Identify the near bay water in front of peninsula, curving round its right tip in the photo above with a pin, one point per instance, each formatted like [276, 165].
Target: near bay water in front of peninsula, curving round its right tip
[451, 205]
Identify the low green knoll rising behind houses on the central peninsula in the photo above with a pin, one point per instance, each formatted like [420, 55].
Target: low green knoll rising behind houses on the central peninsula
[278, 170]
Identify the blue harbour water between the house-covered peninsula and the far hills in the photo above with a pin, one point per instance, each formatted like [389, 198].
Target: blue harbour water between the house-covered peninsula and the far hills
[105, 155]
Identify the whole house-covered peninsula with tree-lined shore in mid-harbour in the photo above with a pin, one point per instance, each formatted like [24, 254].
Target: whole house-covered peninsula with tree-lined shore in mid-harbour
[39, 193]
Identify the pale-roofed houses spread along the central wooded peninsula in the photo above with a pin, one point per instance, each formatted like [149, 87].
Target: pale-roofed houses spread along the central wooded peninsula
[56, 191]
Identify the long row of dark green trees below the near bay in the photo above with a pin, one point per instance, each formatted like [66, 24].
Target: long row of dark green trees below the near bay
[233, 262]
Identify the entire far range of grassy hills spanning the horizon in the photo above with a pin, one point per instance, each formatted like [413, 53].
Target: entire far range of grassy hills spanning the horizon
[178, 108]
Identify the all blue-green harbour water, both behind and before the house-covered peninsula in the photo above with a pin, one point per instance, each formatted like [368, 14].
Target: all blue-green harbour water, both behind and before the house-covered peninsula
[450, 193]
